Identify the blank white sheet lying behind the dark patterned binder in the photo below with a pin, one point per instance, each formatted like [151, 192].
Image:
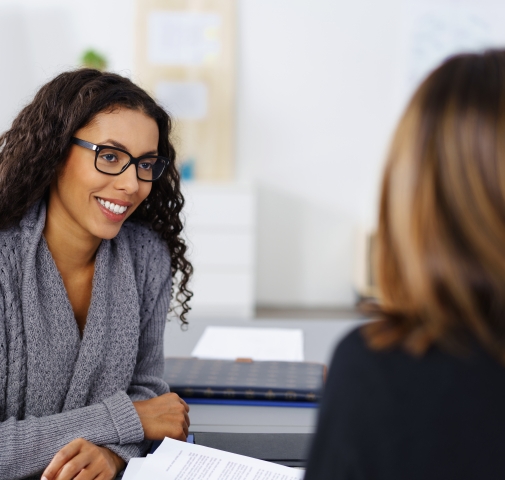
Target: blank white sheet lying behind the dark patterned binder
[230, 343]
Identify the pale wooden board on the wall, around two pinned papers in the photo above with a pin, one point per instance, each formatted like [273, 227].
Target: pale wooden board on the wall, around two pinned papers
[207, 141]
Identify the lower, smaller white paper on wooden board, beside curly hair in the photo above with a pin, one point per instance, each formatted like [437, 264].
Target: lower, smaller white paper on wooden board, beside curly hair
[184, 100]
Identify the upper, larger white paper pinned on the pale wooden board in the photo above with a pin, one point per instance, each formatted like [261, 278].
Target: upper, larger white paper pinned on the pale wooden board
[183, 38]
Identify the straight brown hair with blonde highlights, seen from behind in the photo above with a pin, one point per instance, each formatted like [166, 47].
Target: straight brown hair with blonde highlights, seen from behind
[441, 236]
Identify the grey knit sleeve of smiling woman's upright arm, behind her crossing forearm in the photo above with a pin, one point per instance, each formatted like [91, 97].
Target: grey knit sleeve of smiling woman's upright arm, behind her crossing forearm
[147, 379]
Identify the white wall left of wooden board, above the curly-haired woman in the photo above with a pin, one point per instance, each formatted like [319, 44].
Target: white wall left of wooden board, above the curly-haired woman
[40, 38]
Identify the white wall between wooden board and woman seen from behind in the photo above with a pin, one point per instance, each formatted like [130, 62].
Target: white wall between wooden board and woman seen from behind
[315, 109]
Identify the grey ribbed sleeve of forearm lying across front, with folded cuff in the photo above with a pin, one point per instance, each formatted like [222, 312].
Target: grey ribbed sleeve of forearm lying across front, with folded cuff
[29, 445]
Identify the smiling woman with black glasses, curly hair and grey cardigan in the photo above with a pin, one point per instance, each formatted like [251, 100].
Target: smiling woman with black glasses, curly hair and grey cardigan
[90, 241]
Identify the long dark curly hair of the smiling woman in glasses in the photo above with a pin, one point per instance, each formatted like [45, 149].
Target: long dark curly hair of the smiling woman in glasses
[39, 141]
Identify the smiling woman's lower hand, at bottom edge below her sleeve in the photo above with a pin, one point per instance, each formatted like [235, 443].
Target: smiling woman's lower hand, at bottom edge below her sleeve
[83, 460]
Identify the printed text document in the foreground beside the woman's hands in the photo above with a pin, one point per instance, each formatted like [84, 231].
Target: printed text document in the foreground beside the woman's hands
[175, 460]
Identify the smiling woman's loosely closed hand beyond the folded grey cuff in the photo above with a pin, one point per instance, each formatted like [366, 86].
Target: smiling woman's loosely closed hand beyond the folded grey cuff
[164, 416]
